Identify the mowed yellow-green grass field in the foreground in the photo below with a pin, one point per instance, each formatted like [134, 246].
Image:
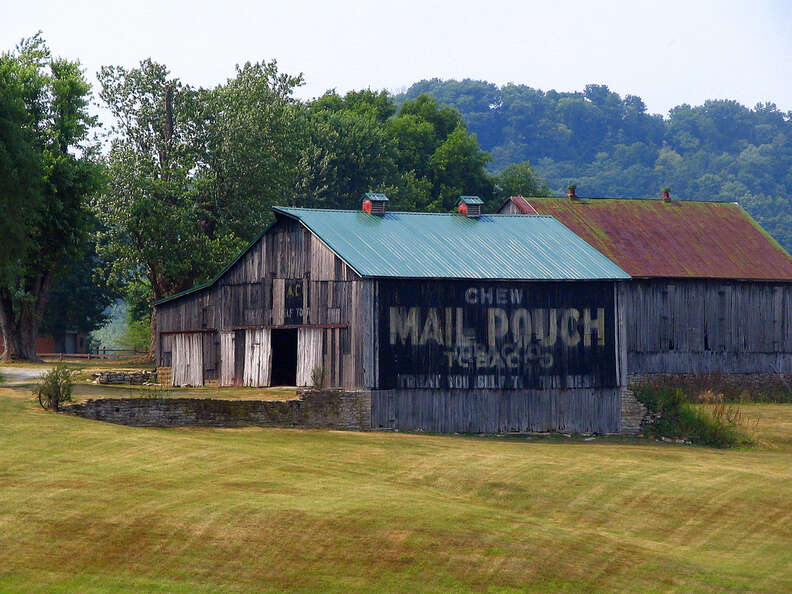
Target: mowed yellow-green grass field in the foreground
[88, 506]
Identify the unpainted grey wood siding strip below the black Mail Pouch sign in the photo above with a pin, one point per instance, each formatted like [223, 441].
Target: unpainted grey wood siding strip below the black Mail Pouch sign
[497, 411]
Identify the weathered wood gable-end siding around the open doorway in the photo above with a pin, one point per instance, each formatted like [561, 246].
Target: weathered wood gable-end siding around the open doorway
[288, 278]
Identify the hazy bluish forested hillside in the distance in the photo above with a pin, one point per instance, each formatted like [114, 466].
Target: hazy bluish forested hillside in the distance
[610, 145]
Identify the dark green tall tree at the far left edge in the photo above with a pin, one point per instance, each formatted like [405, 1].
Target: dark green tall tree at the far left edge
[49, 171]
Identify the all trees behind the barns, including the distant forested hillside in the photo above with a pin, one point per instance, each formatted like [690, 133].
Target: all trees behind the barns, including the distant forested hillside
[185, 176]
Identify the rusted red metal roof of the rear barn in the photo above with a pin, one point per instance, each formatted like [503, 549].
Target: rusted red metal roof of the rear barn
[652, 238]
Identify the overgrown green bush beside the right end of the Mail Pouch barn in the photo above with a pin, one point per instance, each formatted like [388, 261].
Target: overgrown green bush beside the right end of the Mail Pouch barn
[714, 423]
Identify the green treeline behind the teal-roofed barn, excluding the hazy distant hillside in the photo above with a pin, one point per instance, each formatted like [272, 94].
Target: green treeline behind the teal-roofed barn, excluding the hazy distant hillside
[185, 178]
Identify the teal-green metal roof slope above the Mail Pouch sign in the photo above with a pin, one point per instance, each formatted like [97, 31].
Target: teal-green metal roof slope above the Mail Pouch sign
[423, 245]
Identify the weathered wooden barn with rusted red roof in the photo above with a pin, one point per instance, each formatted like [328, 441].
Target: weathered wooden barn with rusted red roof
[711, 290]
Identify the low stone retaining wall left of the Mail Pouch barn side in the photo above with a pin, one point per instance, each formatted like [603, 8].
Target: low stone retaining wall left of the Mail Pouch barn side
[326, 409]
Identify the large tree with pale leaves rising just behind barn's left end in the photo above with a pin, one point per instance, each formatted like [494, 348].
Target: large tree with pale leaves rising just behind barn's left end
[191, 171]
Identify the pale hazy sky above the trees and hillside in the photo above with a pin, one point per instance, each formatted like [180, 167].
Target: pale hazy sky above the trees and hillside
[667, 52]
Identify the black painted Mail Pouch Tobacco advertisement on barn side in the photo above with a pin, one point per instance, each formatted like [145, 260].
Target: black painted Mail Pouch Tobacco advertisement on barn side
[496, 335]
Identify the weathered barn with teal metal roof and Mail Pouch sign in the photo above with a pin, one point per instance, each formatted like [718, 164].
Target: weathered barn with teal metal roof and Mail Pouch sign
[454, 322]
